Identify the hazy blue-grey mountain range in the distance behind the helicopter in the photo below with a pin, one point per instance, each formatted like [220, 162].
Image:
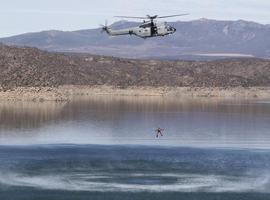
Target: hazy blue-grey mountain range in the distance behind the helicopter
[199, 39]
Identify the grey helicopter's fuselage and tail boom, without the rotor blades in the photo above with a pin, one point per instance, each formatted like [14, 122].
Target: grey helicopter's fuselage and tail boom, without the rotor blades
[145, 30]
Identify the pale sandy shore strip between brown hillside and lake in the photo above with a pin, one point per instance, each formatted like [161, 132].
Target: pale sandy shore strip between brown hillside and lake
[66, 93]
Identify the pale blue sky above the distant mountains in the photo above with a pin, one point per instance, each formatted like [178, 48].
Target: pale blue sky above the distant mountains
[22, 16]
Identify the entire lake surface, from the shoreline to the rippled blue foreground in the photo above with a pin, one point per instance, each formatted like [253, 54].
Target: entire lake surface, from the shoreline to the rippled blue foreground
[105, 147]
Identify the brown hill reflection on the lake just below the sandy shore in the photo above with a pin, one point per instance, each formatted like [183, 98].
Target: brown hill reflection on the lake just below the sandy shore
[34, 115]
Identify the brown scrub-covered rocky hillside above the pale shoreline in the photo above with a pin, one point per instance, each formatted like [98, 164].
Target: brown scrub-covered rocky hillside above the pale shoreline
[33, 67]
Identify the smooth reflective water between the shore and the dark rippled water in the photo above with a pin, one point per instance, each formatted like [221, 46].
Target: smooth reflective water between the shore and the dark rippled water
[133, 120]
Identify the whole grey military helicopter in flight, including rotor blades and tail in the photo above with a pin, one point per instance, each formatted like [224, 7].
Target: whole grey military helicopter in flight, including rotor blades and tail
[149, 28]
